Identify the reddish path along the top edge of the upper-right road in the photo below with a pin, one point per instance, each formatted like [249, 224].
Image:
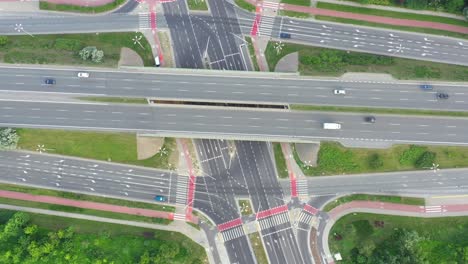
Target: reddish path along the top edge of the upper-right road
[373, 19]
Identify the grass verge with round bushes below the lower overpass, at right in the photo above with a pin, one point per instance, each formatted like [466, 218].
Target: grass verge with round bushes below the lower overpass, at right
[335, 159]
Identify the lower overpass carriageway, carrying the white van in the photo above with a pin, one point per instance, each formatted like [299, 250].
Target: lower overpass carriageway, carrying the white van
[244, 124]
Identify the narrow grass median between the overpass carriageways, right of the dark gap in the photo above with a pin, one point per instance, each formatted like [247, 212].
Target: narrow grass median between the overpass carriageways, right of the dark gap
[395, 111]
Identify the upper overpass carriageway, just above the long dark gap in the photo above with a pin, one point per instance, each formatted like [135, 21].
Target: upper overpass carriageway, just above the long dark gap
[238, 88]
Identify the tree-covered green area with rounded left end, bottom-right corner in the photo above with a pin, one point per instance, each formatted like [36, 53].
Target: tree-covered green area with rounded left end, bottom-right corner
[377, 238]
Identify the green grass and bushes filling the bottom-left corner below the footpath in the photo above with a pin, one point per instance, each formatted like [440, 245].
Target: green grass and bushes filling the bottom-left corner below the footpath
[83, 241]
